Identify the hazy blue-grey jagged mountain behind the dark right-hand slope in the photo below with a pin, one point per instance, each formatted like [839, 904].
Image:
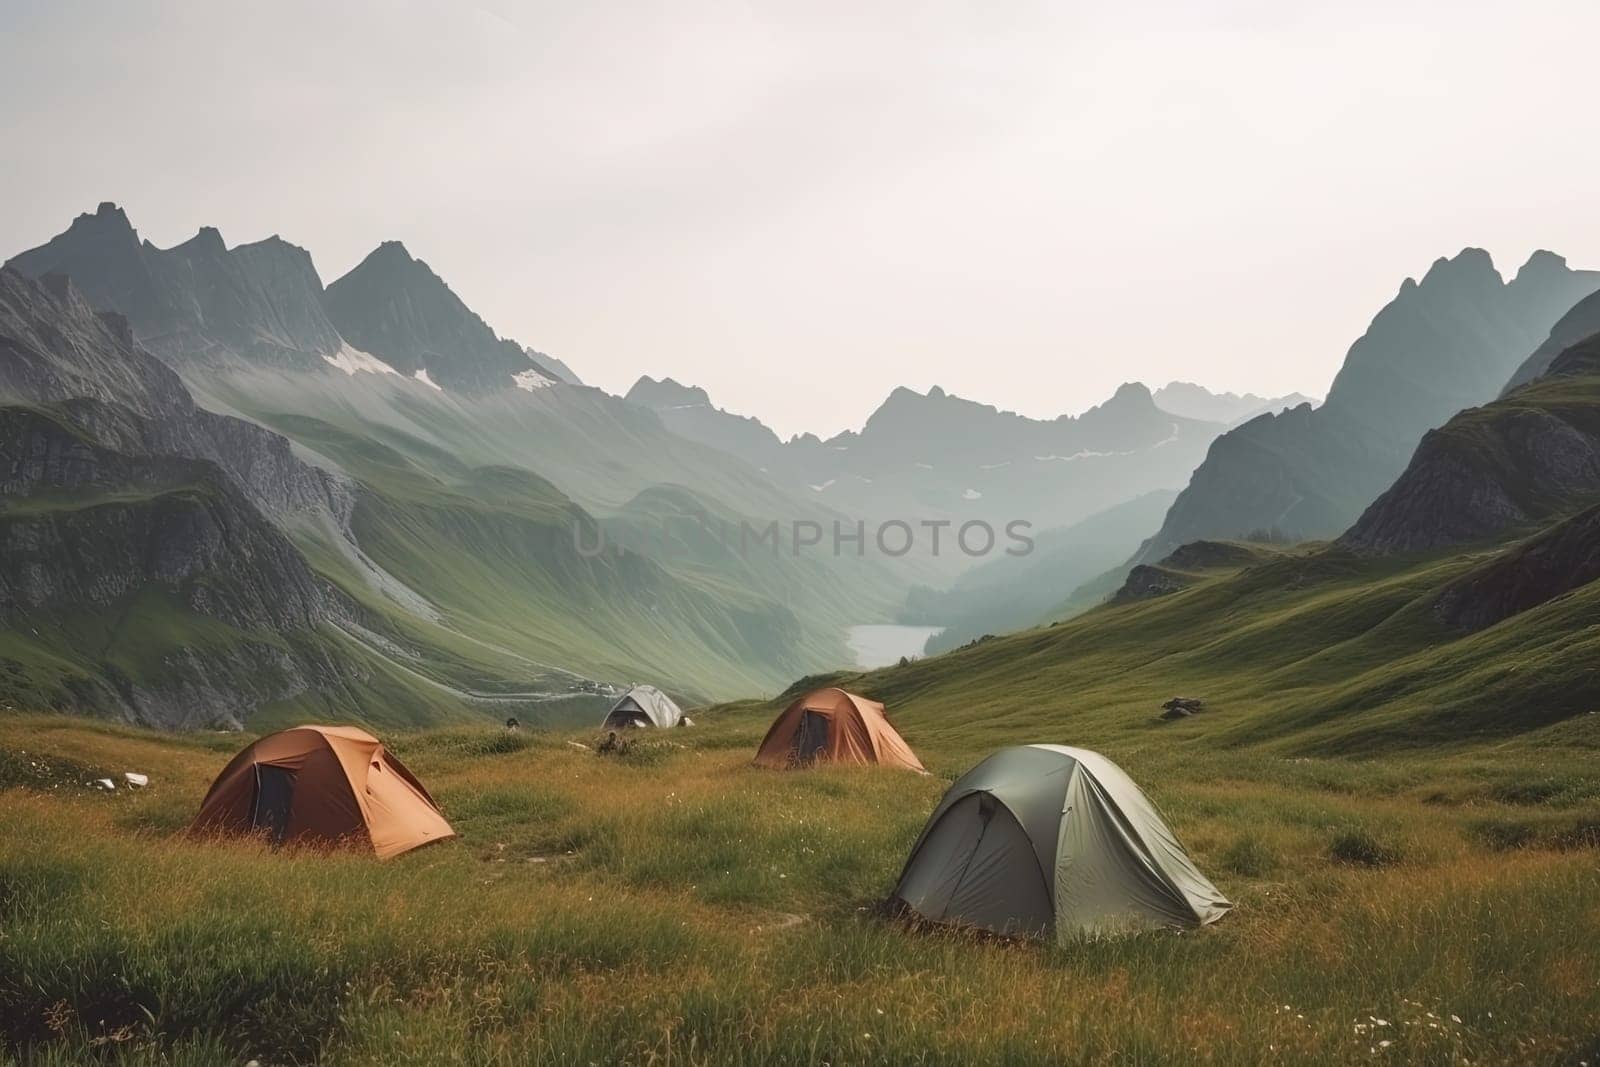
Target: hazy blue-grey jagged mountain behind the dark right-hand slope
[1442, 345]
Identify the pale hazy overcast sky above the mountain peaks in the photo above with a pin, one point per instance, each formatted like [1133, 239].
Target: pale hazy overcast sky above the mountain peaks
[802, 206]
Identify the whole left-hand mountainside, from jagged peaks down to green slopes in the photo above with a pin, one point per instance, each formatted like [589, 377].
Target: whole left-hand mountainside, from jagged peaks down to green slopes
[407, 479]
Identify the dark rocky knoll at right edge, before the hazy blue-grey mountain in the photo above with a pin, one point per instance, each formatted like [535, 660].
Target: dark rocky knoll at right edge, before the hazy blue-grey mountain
[1526, 458]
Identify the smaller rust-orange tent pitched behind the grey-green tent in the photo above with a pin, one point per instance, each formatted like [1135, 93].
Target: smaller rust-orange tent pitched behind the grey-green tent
[834, 727]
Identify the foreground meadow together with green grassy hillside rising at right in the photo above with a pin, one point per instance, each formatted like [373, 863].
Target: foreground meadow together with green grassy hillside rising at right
[1406, 815]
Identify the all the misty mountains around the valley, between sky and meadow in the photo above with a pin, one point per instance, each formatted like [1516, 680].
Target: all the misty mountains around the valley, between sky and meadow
[460, 526]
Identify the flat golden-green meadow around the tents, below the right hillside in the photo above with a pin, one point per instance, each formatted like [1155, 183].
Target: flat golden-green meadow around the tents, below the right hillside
[678, 906]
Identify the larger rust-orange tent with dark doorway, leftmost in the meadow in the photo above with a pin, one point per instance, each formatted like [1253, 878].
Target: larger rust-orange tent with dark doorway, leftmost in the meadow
[326, 786]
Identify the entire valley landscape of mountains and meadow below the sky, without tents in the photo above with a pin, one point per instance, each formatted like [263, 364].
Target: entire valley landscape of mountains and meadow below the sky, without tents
[1374, 727]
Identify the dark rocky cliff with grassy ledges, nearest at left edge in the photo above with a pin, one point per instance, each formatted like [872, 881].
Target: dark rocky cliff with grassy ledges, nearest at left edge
[140, 572]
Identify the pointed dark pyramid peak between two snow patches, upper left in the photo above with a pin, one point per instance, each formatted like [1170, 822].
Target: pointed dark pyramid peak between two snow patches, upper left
[402, 313]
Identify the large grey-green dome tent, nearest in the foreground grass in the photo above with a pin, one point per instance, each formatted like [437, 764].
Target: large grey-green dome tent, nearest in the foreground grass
[1046, 839]
